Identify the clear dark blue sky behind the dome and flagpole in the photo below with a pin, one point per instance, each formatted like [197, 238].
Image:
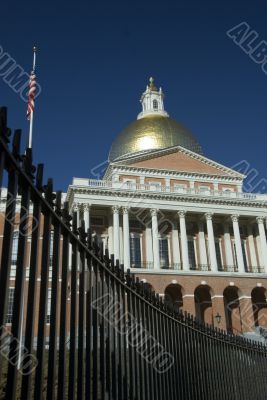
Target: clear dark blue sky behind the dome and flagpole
[94, 61]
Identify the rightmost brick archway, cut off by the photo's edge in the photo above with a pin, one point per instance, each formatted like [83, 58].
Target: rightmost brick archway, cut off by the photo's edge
[259, 305]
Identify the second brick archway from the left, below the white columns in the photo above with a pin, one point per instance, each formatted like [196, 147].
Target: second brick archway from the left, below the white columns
[203, 304]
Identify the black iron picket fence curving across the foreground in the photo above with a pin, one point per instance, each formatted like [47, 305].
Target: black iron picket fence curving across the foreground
[110, 336]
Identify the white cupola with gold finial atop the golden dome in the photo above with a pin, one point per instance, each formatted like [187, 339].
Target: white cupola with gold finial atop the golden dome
[152, 101]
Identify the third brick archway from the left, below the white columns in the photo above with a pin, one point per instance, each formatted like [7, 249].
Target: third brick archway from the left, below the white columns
[232, 310]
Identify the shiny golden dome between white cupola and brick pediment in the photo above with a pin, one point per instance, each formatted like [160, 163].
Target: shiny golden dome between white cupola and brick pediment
[151, 133]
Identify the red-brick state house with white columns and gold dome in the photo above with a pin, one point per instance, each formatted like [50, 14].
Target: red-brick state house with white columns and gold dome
[179, 220]
